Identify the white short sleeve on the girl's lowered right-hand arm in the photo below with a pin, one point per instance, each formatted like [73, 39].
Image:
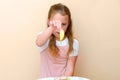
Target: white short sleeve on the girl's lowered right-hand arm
[75, 48]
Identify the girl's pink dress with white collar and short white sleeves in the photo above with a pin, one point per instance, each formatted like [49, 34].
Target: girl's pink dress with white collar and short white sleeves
[56, 67]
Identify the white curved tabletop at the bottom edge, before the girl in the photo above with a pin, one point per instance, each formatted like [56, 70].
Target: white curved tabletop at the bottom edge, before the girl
[67, 78]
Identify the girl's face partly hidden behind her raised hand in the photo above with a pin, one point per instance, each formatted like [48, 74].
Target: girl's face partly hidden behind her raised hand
[64, 21]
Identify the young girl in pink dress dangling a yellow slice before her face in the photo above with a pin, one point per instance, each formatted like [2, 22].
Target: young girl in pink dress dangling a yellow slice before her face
[58, 57]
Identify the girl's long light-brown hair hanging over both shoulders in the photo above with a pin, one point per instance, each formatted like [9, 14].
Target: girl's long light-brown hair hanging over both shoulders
[63, 10]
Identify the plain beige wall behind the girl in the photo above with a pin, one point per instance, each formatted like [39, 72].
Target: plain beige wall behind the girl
[96, 26]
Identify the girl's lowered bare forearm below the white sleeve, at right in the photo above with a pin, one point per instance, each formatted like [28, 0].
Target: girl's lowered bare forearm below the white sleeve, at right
[70, 66]
